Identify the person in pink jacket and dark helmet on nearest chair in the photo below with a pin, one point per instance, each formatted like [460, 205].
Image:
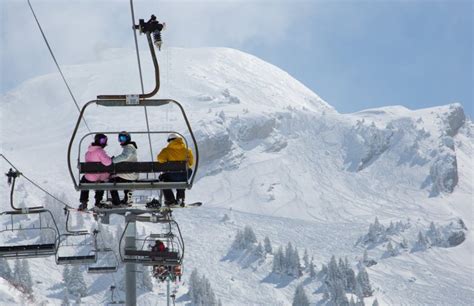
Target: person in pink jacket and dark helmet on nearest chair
[95, 153]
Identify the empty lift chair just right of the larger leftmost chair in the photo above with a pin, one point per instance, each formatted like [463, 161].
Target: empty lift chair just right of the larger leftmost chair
[76, 247]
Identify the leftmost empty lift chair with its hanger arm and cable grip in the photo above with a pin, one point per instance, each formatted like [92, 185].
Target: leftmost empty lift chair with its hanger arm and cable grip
[25, 243]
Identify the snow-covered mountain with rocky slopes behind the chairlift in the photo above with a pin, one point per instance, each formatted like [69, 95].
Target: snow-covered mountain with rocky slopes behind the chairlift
[278, 158]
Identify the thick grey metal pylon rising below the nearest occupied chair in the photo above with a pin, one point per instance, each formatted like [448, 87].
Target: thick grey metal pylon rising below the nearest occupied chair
[130, 270]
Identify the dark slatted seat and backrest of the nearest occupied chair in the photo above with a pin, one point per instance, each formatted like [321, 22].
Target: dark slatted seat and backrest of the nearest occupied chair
[134, 167]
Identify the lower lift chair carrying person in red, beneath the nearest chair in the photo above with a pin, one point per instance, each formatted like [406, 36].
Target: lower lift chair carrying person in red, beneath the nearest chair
[142, 254]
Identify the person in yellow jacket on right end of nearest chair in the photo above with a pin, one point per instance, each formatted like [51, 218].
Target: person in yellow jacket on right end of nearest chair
[176, 150]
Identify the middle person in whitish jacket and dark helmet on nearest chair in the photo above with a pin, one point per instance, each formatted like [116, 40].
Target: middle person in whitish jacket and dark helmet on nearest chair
[129, 154]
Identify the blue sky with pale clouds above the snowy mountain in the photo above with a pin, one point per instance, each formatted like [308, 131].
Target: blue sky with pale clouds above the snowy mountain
[353, 54]
